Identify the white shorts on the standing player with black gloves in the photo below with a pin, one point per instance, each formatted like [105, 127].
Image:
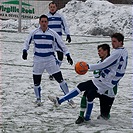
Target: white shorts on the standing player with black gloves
[51, 67]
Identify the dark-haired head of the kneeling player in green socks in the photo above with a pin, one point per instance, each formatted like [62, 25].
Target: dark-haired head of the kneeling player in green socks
[103, 51]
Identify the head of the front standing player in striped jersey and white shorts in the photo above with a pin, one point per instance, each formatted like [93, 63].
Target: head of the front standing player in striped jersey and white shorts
[43, 21]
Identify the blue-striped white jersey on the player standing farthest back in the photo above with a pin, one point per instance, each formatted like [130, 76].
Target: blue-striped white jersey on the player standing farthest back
[57, 23]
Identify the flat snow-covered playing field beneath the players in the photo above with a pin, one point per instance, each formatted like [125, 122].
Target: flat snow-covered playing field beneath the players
[18, 112]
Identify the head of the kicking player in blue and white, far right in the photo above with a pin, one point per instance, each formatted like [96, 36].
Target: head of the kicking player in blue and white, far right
[117, 40]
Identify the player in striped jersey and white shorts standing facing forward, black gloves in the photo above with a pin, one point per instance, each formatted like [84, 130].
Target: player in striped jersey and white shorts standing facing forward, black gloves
[44, 59]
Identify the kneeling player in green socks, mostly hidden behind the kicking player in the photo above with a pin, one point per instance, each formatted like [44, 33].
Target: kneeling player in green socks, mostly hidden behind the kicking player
[106, 99]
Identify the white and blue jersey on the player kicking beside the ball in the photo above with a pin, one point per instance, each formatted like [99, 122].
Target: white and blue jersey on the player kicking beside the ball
[112, 70]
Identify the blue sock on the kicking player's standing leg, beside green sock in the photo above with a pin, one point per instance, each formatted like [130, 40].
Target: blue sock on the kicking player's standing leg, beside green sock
[88, 110]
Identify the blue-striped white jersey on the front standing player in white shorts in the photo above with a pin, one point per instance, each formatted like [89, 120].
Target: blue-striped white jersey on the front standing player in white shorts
[44, 43]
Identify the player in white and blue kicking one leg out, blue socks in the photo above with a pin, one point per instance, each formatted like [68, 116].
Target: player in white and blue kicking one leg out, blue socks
[112, 70]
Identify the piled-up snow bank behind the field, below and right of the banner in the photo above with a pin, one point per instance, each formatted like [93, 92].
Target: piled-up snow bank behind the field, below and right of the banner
[93, 17]
